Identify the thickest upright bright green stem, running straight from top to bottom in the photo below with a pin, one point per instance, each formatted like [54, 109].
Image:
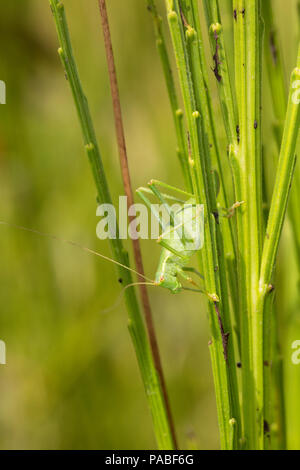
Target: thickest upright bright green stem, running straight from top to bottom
[254, 166]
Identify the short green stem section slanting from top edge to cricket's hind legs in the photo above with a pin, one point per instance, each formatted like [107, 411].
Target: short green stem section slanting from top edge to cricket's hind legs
[177, 113]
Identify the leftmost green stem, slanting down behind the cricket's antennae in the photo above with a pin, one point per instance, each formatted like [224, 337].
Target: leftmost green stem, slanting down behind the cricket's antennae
[136, 324]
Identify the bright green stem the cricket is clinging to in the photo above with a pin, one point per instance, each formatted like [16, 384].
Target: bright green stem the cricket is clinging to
[203, 189]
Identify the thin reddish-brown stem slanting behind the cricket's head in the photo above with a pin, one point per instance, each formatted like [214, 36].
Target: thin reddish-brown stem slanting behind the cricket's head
[130, 202]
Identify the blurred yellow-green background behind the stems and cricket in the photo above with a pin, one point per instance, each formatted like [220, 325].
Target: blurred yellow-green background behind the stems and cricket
[71, 379]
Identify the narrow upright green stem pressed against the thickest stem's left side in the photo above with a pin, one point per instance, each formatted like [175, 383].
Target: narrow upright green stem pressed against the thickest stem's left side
[238, 161]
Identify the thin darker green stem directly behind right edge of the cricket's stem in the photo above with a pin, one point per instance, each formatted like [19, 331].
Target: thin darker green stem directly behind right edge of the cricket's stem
[210, 147]
